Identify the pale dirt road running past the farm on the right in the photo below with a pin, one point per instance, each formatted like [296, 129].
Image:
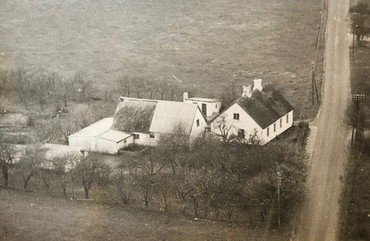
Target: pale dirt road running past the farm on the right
[320, 217]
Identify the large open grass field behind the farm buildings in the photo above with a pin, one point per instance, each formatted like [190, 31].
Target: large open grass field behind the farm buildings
[206, 44]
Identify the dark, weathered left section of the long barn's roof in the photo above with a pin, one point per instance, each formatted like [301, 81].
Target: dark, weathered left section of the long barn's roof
[134, 115]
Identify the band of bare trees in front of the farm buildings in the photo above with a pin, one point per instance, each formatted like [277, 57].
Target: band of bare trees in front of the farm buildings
[210, 179]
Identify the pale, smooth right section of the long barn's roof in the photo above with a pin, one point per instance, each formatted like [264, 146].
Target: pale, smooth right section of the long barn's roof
[169, 114]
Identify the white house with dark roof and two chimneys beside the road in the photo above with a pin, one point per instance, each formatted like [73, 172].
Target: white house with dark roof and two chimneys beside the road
[260, 115]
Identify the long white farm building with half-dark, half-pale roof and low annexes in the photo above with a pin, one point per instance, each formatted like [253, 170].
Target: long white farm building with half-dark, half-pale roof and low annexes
[142, 122]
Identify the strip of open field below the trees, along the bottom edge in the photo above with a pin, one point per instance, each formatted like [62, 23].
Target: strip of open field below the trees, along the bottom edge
[27, 217]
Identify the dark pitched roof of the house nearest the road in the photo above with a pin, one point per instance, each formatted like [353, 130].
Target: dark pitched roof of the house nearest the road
[266, 106]
